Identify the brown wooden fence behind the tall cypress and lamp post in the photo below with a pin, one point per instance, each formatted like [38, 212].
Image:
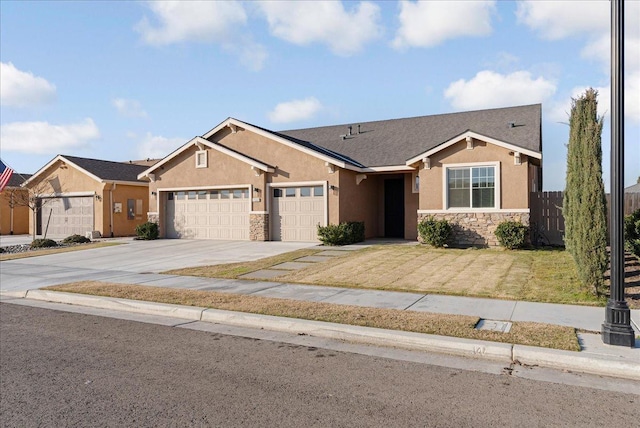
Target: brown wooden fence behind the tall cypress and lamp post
[547, 222]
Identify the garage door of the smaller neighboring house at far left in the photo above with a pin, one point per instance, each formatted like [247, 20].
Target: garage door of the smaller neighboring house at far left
[66, 216]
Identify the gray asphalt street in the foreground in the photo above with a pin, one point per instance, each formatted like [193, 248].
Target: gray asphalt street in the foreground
[70, 369]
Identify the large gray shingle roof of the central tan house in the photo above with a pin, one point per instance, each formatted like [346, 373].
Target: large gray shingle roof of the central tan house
[393, 142]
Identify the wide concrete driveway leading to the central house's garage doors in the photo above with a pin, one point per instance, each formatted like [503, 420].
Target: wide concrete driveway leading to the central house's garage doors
[131, 258]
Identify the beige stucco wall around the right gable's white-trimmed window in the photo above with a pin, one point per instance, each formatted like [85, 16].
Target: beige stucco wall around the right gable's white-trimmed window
[514, 179]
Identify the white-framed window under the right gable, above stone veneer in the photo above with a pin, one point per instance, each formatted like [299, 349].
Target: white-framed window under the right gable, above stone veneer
[472, 187]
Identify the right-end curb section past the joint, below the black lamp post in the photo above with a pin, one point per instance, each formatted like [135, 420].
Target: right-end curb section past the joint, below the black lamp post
[577, 361]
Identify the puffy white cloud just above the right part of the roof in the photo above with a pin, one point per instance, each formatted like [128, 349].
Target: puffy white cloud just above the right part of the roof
[489, 89]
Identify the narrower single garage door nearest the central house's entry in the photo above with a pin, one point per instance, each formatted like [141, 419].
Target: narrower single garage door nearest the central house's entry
[297, 211]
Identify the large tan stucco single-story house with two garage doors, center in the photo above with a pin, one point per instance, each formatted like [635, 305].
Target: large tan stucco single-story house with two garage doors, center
[241, 181]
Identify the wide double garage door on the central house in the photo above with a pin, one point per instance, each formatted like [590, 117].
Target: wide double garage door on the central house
[209, 214]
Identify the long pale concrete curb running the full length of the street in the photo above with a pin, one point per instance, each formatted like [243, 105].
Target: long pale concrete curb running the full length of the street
[527, 355]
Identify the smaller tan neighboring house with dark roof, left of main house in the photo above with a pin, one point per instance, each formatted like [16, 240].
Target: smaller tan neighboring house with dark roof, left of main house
[80, 195]
